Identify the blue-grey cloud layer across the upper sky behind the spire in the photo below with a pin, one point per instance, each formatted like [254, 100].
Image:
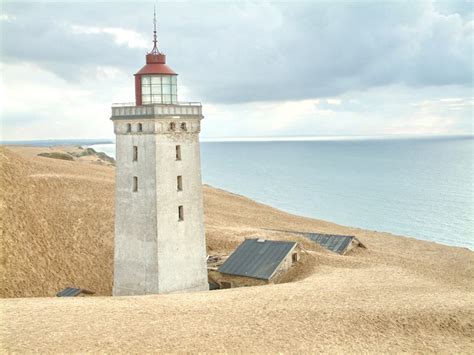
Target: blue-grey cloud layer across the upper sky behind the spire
[242, 52]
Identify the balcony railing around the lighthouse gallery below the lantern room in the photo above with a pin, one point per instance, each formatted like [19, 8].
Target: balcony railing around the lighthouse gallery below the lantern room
[182, 108]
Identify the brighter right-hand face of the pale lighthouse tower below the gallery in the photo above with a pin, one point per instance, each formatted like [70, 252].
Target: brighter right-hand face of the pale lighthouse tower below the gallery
[182, 253]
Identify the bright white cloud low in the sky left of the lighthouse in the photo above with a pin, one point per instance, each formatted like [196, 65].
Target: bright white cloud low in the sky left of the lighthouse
[49, 107]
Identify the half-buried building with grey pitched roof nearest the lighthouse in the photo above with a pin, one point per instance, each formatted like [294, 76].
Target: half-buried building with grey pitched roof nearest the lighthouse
[256, 262]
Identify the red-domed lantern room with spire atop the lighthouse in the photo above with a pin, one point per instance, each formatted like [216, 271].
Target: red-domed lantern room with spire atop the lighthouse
[155, 83]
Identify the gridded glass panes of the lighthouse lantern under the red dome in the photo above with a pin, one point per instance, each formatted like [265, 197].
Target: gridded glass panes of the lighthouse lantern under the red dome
[159, 89]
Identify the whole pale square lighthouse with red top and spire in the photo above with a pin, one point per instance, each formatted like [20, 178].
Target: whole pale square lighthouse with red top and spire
[160, 243]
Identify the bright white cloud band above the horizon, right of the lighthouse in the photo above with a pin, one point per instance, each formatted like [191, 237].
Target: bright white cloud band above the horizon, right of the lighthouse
[391, 110]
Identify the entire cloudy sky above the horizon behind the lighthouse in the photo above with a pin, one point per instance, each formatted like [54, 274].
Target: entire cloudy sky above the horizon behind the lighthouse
[260, 68]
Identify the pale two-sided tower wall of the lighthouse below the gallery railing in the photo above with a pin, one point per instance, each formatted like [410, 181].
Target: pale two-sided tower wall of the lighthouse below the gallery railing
[154, 251]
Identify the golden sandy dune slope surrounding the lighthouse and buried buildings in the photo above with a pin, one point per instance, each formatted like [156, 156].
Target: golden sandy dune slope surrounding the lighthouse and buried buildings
[398, 295]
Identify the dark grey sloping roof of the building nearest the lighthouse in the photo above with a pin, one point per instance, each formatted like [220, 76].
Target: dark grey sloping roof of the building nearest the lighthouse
[257, 258]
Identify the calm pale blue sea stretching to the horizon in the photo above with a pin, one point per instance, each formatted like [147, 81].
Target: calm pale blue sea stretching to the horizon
[421, 188]
